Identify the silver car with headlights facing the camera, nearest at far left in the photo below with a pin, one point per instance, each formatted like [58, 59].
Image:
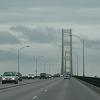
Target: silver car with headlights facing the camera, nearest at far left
[10, 77]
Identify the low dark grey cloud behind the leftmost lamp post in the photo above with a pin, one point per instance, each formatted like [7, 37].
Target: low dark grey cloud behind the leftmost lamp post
[12, 56]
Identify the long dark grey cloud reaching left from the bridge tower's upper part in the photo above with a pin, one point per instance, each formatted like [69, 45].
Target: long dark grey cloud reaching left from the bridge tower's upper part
[38, 35]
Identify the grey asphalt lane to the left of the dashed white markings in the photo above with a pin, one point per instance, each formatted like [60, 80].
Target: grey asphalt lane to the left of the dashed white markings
[27, 92]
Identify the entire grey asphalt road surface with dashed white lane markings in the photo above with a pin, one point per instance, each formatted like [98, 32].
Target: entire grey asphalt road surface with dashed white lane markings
[51, 89]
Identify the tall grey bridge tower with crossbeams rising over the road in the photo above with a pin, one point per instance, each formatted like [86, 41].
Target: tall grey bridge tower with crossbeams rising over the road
[66, 51]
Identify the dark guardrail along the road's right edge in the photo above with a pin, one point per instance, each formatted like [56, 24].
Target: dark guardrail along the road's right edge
[92, 80]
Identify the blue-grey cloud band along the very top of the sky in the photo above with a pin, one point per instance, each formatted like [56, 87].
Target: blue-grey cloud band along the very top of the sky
[38, 3]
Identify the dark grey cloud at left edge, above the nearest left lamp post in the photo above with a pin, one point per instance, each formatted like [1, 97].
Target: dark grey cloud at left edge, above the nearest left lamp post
[7, 38]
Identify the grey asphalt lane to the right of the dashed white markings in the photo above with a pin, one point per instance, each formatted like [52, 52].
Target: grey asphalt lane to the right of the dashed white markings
[70, 90]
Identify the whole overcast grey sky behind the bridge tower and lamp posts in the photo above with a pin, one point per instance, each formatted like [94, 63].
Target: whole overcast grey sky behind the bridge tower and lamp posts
[38, 23]
